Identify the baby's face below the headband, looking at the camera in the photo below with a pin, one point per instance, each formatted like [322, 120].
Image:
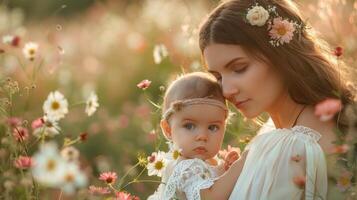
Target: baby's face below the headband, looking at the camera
[198, 130]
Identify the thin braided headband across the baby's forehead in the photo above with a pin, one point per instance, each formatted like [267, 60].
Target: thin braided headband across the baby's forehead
[178, 105]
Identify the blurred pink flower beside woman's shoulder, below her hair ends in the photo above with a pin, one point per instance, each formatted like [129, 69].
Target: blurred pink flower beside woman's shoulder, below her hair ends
[328, 108]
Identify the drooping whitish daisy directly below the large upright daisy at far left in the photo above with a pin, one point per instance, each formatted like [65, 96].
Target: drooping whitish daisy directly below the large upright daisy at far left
[49, 128]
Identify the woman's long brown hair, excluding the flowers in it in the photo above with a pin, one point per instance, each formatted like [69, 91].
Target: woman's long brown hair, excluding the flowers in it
[306, 63]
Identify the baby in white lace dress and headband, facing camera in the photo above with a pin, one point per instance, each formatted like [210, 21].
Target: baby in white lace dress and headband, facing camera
[194, 120]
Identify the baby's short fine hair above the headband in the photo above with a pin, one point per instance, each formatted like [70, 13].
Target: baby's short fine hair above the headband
[191, 86]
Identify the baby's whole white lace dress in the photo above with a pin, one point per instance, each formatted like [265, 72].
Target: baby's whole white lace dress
[185, 179]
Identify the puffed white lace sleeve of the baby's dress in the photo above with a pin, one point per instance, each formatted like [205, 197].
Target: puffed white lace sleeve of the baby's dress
[188, 178]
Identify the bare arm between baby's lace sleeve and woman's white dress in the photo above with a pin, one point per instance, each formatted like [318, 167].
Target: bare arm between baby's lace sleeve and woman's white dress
[223, 187]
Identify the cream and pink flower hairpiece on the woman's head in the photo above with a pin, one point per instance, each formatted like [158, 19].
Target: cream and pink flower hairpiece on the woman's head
[280, 30]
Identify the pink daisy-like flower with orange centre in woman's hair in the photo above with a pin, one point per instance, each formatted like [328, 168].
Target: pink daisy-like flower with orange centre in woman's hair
[282, 31]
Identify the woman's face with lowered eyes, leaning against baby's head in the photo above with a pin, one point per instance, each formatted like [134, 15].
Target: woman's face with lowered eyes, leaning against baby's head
[250, 84]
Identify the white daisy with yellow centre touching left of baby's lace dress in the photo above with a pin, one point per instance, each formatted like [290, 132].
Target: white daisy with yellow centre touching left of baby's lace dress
[157, 163]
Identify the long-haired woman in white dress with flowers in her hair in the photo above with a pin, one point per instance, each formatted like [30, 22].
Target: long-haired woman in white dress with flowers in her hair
[266, 60]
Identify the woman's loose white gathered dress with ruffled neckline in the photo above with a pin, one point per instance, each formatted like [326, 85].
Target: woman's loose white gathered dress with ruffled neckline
[276, 160]
